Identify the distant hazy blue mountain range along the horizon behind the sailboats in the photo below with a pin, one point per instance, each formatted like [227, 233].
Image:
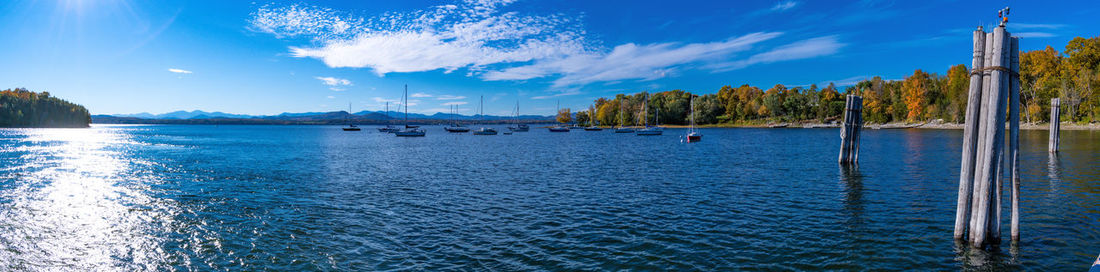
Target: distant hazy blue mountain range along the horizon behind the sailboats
[302, 118]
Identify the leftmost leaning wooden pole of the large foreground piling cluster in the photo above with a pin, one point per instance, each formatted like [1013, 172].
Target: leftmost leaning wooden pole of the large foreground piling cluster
[971, 135]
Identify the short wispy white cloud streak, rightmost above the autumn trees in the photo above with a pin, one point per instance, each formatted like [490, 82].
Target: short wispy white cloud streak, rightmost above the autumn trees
[806, 49]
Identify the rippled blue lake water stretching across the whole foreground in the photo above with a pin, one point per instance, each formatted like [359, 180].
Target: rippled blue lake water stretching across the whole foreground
[284, 198]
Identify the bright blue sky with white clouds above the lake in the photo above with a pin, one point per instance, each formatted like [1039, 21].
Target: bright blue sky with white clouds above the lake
[126, 57]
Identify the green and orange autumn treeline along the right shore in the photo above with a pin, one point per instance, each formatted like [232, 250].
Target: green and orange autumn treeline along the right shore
[922, 96]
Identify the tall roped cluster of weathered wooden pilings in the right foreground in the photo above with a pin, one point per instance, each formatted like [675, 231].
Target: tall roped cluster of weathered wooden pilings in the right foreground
[995, 85]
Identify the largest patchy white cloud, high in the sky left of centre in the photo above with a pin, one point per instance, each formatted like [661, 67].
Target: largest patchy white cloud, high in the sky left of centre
[469, 36]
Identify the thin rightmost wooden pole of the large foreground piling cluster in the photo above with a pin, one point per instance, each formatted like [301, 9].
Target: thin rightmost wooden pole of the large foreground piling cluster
[1015, 137]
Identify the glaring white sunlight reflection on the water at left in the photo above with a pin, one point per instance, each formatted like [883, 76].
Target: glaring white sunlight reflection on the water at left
[71, 204]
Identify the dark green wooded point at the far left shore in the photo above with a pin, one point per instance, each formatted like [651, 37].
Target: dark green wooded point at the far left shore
[21, 108]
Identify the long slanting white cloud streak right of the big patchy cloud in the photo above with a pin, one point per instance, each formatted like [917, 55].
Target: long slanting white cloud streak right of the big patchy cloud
[630, 62]
